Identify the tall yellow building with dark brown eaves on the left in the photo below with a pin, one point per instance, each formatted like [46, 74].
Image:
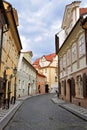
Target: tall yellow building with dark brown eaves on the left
[11, 46]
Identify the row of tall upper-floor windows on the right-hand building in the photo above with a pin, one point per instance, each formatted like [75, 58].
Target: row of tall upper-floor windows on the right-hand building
[76, 51]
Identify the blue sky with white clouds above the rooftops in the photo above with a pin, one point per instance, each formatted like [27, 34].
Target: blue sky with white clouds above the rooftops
[39, 21]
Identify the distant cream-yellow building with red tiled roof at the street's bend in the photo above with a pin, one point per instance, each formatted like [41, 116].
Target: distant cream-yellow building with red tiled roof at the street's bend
[47, 64]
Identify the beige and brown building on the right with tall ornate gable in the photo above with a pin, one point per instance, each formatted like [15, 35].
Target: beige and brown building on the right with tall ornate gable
[72, 57]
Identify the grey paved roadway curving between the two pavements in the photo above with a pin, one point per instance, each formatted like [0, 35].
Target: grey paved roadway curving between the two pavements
[40, 113]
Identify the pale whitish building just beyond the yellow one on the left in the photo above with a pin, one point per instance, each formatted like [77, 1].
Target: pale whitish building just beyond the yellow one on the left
[26, 81]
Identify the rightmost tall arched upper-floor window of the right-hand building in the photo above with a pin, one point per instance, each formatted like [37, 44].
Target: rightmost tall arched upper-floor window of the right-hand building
[81, 46]
